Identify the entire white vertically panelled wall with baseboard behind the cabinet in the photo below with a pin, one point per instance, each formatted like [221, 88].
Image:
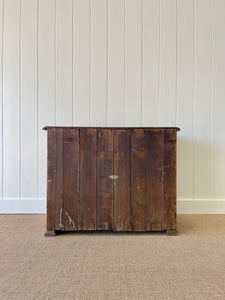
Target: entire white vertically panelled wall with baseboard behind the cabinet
[112, 63]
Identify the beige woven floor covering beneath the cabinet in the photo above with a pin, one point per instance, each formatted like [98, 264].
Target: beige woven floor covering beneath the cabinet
[112, 266]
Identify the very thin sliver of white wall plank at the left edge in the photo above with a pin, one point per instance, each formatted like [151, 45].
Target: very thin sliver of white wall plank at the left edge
[1, 90]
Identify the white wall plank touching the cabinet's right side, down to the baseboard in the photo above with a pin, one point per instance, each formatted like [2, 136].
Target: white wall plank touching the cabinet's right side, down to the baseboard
[185, 97]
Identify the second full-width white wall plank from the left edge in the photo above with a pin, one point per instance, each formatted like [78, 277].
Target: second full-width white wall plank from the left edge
[28, 99]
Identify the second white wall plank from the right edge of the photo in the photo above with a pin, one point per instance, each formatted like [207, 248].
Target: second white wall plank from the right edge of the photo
[203, 84]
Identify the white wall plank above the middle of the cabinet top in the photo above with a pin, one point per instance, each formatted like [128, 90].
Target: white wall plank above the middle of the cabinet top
[115, 63]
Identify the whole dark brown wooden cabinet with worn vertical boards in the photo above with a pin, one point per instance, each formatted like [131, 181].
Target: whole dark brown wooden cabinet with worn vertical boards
[120, 179]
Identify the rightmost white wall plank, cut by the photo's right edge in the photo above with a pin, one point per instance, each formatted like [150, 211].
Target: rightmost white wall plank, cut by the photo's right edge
[218, 125]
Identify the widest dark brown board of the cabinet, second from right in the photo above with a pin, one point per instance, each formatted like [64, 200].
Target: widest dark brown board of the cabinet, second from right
[146, 179]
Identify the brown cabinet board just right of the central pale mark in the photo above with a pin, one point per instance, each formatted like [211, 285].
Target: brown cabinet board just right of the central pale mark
[121, 186]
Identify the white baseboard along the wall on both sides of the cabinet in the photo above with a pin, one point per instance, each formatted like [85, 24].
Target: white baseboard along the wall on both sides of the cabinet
[38, 206]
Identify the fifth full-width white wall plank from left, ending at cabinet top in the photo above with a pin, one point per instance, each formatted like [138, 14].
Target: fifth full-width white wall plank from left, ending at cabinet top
[81, 62]
